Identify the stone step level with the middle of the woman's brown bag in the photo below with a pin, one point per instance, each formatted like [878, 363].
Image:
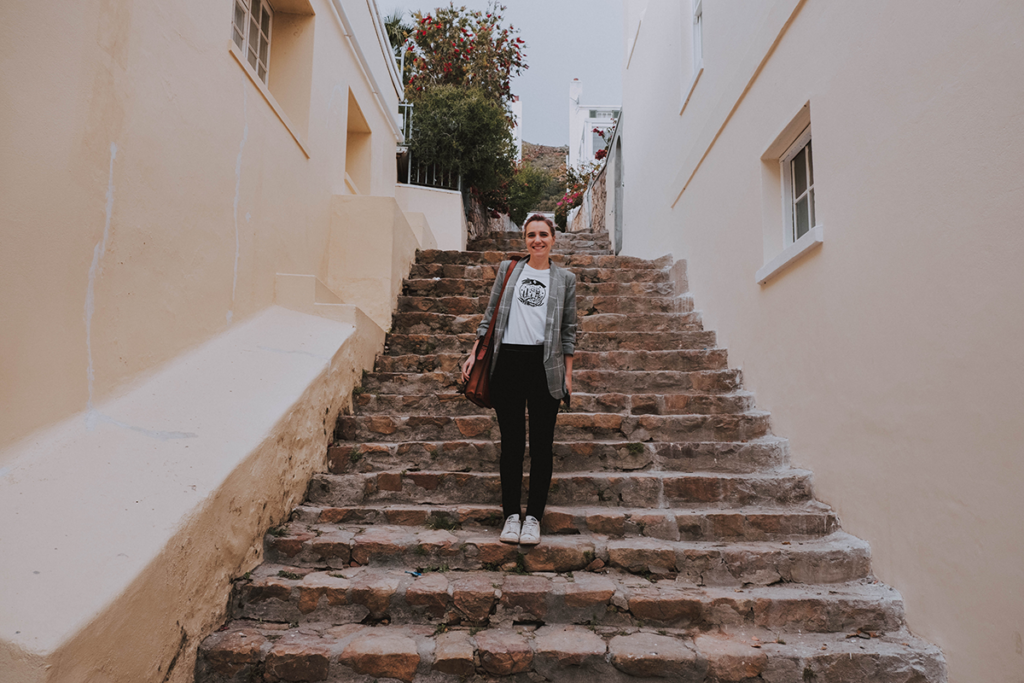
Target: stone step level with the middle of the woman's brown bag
[590, 381]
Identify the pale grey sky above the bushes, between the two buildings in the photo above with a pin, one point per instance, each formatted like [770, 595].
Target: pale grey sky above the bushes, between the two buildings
[566, 39]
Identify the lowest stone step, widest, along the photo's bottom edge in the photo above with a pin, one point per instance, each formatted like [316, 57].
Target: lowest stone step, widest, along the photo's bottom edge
[415, 654]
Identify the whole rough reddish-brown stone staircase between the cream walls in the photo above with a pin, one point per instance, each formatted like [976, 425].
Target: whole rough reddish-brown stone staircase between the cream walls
[679, 543]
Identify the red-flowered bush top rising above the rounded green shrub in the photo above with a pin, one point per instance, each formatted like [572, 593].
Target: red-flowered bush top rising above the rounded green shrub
[465, 49]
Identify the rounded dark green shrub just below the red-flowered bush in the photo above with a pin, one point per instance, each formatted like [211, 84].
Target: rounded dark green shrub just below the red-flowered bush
[464, 131]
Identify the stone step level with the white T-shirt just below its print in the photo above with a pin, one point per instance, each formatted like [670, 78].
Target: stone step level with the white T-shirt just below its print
[448, 324]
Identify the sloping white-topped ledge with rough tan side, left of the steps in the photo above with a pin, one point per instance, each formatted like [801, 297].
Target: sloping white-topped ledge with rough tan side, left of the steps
[123, 527]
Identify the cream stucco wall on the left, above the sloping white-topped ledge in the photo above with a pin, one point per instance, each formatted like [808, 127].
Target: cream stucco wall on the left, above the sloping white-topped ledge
[151, 192]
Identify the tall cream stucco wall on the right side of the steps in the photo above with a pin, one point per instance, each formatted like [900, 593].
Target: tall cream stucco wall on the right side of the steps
[890, 355]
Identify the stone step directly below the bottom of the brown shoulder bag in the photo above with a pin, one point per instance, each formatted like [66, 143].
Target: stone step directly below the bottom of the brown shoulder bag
[570, 426]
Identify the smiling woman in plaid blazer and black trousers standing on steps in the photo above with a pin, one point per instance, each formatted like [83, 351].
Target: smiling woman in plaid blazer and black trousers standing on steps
[532, 367]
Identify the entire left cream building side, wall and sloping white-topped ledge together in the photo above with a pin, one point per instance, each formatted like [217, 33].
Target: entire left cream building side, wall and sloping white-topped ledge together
[184, 314]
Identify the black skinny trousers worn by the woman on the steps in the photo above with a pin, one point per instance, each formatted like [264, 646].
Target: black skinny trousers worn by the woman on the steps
[520, 381]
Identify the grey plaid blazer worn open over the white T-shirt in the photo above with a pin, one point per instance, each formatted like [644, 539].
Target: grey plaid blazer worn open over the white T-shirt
[560, 327]
